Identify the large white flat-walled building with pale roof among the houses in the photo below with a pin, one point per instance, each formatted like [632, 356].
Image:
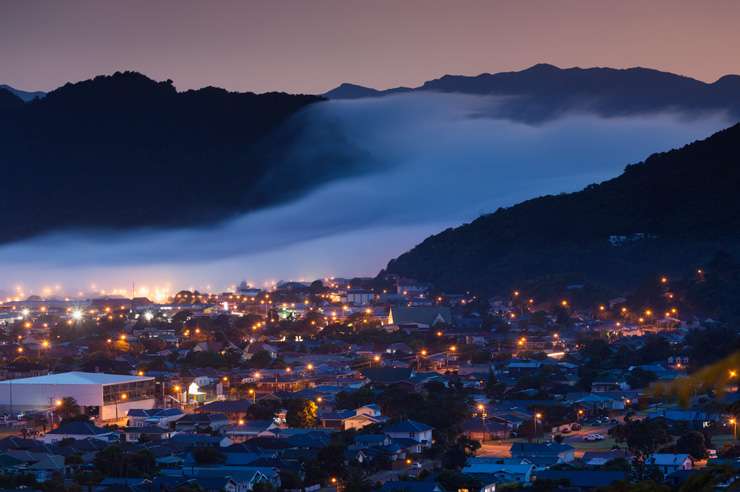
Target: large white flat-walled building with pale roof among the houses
[101, 396]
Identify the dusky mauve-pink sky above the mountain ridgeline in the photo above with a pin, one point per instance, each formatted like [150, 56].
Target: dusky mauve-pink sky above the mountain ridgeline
[312, 45]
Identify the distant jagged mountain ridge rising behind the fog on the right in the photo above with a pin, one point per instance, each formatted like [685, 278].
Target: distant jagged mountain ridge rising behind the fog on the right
[545, 91]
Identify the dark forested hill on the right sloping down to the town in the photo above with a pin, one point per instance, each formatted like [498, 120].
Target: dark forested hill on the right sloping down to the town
[668, 214]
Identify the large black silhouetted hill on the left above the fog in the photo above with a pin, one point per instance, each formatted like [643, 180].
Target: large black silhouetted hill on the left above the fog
[126, 151]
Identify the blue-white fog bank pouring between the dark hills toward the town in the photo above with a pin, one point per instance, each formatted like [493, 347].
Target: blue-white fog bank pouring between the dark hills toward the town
[420, 163]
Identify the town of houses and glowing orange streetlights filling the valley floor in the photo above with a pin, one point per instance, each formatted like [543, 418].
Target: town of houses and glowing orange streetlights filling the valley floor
[376, 380]
